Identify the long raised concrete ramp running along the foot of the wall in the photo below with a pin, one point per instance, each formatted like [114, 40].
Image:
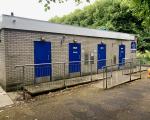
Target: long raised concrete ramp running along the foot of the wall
[53, 85]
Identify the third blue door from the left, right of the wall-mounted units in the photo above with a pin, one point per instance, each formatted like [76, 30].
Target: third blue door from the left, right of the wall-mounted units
[101, 55]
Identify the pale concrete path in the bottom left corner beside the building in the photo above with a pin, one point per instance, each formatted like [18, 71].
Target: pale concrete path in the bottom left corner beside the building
[4, 99]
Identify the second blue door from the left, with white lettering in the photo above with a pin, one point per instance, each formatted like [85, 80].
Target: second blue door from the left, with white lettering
[74, 57]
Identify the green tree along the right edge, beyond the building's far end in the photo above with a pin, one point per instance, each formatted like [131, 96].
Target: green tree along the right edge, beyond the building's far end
[141, 9]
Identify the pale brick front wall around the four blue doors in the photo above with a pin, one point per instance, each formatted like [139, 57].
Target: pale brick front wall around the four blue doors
[20, 51]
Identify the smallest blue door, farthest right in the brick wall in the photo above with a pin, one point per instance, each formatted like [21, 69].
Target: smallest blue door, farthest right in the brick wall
[122, 50]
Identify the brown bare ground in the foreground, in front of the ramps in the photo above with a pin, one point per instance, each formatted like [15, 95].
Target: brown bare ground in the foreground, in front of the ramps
[127, 102]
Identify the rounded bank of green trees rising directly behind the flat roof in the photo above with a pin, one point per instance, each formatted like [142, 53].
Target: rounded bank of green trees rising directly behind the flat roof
[103, 14]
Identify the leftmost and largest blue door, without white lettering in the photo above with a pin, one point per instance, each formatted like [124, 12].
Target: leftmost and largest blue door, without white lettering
[42, 54]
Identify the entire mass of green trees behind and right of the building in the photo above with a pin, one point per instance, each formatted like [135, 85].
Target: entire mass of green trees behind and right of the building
[117, 15]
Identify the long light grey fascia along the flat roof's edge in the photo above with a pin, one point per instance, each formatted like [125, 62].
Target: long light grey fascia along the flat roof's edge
[13, 22]
